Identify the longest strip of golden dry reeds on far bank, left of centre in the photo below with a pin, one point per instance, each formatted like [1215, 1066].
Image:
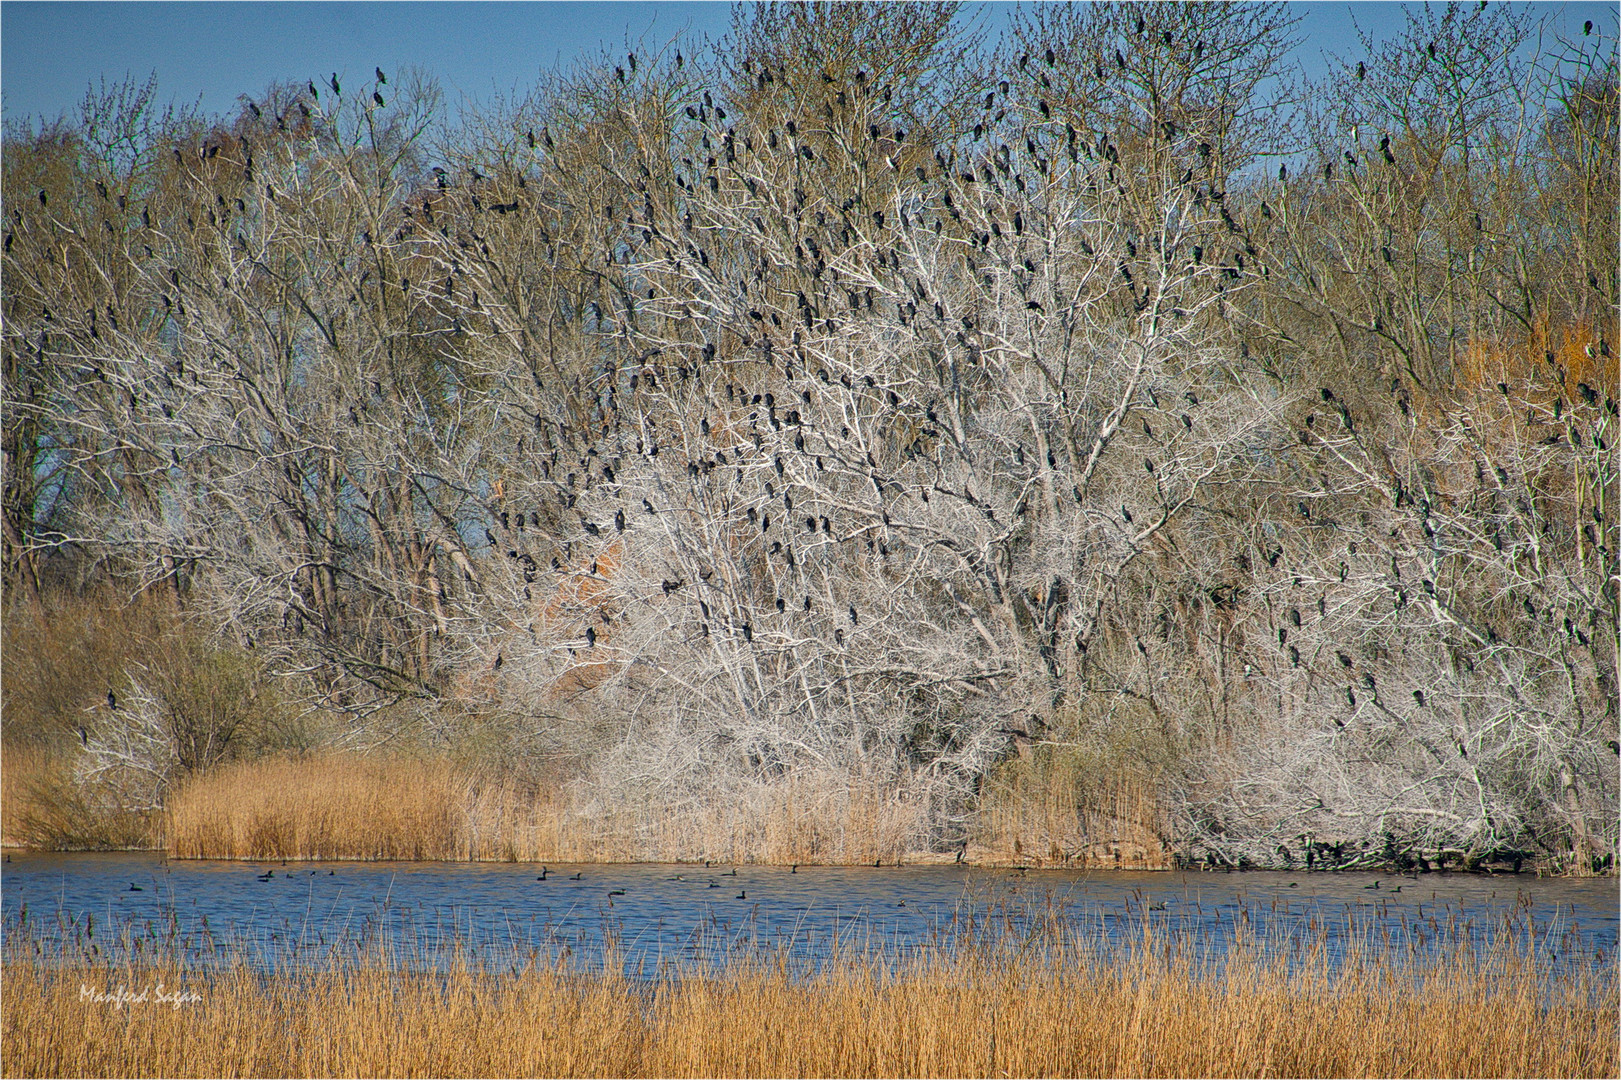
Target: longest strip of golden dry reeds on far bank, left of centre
[343, 807]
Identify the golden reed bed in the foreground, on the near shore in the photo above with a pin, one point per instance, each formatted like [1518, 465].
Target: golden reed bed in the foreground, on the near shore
[1058, 1006]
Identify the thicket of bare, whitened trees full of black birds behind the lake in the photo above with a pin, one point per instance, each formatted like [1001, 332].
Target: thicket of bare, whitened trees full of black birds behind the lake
[862, 398]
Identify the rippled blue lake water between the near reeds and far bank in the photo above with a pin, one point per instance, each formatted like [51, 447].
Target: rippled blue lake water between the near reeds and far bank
[654, 915]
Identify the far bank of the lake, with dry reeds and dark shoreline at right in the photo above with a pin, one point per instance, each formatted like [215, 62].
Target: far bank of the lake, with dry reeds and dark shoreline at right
[382, 808]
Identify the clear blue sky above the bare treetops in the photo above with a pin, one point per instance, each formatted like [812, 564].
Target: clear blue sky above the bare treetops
[215, 53]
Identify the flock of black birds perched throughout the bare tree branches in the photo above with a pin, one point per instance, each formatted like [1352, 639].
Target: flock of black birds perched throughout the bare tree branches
[988, 195]
